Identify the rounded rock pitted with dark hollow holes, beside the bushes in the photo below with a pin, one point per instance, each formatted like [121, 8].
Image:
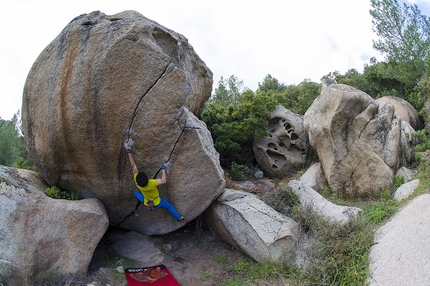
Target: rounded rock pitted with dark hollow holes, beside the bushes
[285, 150]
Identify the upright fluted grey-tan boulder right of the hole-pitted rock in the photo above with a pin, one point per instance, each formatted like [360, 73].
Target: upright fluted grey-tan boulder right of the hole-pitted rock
[359, 143]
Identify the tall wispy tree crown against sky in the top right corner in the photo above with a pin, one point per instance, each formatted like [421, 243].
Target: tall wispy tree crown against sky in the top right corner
[404, 33]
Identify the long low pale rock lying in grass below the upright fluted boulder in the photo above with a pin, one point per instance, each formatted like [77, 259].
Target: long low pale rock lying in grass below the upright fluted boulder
[309, 198]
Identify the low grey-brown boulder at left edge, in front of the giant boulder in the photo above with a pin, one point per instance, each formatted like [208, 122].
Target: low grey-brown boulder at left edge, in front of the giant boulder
[40, 235]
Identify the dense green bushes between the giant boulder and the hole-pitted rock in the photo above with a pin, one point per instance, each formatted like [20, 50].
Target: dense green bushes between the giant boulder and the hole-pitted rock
[234, 118]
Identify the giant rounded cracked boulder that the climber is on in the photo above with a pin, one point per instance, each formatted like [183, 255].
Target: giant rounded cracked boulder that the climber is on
[107, 79]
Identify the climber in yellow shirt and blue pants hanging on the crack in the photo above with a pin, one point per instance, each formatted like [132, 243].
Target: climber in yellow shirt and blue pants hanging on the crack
[147, 192]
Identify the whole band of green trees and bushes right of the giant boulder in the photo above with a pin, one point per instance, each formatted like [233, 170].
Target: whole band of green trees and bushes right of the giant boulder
[235, 115]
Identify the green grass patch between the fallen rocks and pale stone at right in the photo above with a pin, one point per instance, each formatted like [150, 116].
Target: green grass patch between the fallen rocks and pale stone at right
[338, 254]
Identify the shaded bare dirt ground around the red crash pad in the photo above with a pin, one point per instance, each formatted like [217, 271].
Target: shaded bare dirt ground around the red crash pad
[193, 254]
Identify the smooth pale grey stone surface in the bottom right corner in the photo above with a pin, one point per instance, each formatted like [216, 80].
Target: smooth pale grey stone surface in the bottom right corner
[401, 253]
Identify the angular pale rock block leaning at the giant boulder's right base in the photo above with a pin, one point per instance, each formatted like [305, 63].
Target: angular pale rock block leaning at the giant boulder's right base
[253, 227]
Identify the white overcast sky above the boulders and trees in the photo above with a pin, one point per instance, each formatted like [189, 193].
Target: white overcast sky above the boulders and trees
[291, 40]
